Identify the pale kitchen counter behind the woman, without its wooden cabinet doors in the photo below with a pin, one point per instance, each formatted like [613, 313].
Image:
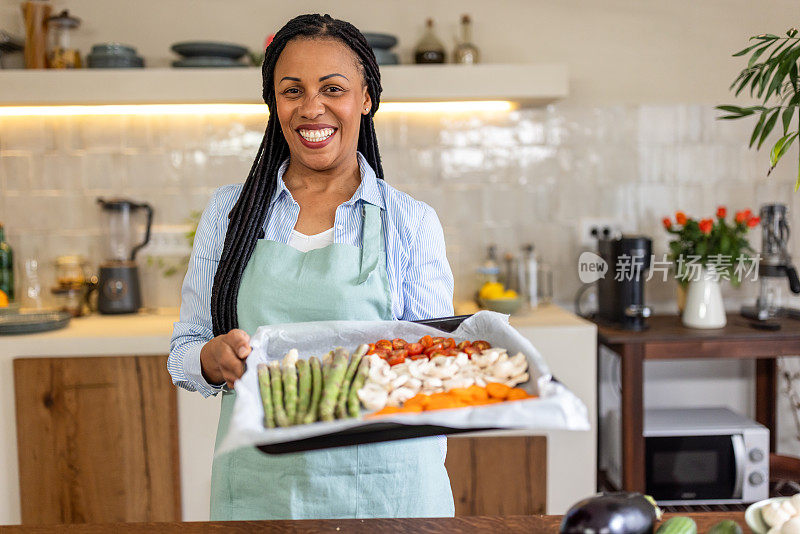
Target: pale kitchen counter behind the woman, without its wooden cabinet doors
[566, 342]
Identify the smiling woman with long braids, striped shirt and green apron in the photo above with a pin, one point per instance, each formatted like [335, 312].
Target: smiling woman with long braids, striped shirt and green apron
[313, 234]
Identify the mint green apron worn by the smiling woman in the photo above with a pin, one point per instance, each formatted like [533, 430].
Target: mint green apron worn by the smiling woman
[403, 478]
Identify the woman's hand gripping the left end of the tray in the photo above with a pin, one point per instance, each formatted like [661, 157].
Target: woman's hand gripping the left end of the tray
[222, 358]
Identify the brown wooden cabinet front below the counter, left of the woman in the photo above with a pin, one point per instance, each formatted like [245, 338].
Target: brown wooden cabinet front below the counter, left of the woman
[97, 440]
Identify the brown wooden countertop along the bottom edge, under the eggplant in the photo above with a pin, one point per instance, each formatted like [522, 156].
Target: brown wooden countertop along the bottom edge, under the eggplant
[478, 524]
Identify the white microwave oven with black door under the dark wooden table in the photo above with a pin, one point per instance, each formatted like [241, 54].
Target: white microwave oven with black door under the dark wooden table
[696, 456]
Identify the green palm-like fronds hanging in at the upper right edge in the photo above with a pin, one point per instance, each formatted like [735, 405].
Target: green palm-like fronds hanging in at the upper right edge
[772, 78]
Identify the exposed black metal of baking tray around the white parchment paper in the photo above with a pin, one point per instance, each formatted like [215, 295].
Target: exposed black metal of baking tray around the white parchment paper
[378, 431]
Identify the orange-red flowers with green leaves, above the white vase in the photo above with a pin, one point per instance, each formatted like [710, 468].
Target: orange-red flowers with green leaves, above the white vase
[719, 243]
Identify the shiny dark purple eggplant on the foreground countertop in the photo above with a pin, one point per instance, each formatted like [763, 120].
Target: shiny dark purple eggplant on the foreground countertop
[612, 513]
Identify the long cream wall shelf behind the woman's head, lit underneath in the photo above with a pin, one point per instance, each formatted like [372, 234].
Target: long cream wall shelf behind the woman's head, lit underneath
[525, 84]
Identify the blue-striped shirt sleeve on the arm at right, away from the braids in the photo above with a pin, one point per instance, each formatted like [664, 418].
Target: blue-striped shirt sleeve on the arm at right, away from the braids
[428, 281]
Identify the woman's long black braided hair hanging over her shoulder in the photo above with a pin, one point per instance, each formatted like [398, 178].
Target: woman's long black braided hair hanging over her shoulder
[250, 211]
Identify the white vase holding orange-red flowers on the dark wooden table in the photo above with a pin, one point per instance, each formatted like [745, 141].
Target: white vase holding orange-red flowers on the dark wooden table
[704, 252]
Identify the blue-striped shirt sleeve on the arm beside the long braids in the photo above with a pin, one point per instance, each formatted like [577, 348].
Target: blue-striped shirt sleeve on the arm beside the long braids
[194, 328]
